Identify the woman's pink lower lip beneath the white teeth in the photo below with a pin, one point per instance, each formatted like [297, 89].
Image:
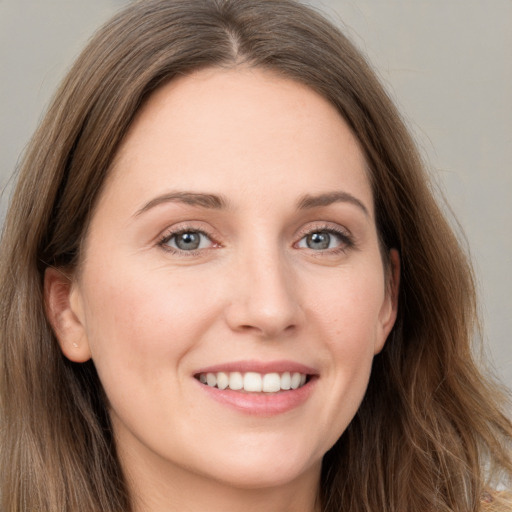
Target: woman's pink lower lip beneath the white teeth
[261, 404]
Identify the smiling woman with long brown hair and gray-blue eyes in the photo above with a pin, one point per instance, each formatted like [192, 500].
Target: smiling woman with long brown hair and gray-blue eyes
[226, 284]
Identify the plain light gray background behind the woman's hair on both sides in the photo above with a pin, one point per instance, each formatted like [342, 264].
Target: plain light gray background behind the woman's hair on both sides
[447, 64]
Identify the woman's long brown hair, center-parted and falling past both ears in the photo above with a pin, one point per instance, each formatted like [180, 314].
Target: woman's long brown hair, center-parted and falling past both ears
[429, 425]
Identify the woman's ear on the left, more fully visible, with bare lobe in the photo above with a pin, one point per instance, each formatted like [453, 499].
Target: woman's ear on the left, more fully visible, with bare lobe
[65, 315]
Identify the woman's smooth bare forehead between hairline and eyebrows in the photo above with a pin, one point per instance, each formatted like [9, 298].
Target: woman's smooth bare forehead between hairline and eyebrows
[217, 130]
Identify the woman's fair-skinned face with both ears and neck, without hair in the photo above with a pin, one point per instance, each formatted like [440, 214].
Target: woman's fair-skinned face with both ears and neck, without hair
[234, 235]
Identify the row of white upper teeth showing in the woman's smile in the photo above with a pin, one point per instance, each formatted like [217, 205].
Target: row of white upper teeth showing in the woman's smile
[254, 382]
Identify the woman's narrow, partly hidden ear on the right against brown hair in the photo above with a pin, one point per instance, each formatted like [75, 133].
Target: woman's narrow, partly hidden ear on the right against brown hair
[388, 312]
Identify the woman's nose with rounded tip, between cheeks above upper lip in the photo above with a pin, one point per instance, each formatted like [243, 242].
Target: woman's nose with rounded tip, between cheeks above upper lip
[263, 297]
